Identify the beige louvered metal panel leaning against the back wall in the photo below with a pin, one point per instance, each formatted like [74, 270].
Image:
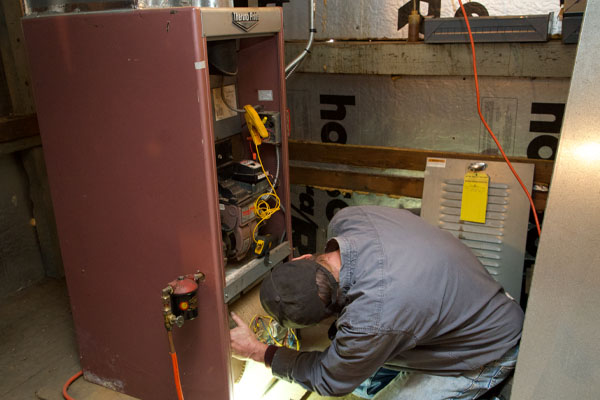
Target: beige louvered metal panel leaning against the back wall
[499, 243]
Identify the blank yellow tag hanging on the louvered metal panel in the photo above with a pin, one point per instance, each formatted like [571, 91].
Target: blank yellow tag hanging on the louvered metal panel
[474, 201]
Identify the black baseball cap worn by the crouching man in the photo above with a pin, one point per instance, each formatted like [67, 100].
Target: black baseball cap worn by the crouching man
[289, 294]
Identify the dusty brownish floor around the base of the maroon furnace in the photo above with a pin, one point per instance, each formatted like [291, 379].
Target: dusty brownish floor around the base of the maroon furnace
[39, 352]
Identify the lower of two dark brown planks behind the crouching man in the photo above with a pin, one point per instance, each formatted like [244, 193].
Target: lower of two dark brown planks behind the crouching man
[370, 183]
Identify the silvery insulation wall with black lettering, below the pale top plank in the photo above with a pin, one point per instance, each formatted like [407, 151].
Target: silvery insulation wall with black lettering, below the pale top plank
[418, 112]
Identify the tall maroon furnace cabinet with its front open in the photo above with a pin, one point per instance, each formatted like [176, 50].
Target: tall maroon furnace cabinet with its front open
[140, 150]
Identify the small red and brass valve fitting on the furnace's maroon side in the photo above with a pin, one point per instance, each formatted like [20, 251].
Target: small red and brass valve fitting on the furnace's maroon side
[180, 300]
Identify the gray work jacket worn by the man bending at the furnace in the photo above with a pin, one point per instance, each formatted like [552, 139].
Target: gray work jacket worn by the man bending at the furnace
[418, 299]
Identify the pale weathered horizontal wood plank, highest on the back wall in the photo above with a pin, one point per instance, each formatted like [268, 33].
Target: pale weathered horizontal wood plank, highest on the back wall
[534, 60]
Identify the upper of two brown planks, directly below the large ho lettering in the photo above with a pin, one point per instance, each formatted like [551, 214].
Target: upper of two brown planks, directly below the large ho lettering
[391, 157]
